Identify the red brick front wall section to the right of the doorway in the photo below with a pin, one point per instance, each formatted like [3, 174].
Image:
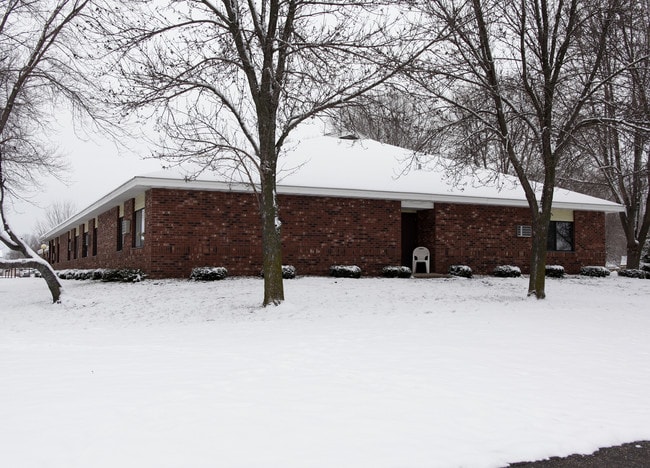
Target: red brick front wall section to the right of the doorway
[483, 237]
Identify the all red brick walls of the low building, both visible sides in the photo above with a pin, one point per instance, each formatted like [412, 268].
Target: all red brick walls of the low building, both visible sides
[187, 229]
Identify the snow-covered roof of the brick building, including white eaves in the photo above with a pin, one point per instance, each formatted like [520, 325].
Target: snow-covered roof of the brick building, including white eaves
[358, 168]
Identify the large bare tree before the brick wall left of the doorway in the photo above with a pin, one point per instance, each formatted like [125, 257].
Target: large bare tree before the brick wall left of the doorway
[229, 80]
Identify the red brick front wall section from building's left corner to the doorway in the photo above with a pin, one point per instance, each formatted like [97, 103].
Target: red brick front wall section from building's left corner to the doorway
[199, 228]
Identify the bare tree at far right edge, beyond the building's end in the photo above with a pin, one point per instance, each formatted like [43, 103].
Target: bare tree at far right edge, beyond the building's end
[619, 148]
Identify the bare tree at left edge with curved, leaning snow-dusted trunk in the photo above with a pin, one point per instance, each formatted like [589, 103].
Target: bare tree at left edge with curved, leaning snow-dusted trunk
[35, 68]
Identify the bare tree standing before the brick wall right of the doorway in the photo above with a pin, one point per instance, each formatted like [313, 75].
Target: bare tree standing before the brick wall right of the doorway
[528, 59]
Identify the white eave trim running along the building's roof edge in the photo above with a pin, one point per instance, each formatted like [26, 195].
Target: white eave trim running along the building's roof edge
[138, 184]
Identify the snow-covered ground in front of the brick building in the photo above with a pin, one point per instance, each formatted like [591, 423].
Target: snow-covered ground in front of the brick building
[347, 373]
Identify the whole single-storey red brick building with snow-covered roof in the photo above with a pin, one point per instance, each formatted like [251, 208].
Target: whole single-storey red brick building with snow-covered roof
[342, 201]
